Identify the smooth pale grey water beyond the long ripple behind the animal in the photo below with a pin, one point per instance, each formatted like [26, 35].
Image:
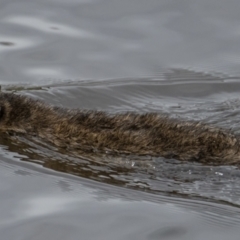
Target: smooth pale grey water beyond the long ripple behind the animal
[110, 39]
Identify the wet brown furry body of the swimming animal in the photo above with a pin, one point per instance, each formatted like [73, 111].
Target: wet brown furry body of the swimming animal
[140, 134]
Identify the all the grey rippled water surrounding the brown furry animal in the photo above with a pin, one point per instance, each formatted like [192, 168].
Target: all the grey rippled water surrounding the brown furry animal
[176, 57]
